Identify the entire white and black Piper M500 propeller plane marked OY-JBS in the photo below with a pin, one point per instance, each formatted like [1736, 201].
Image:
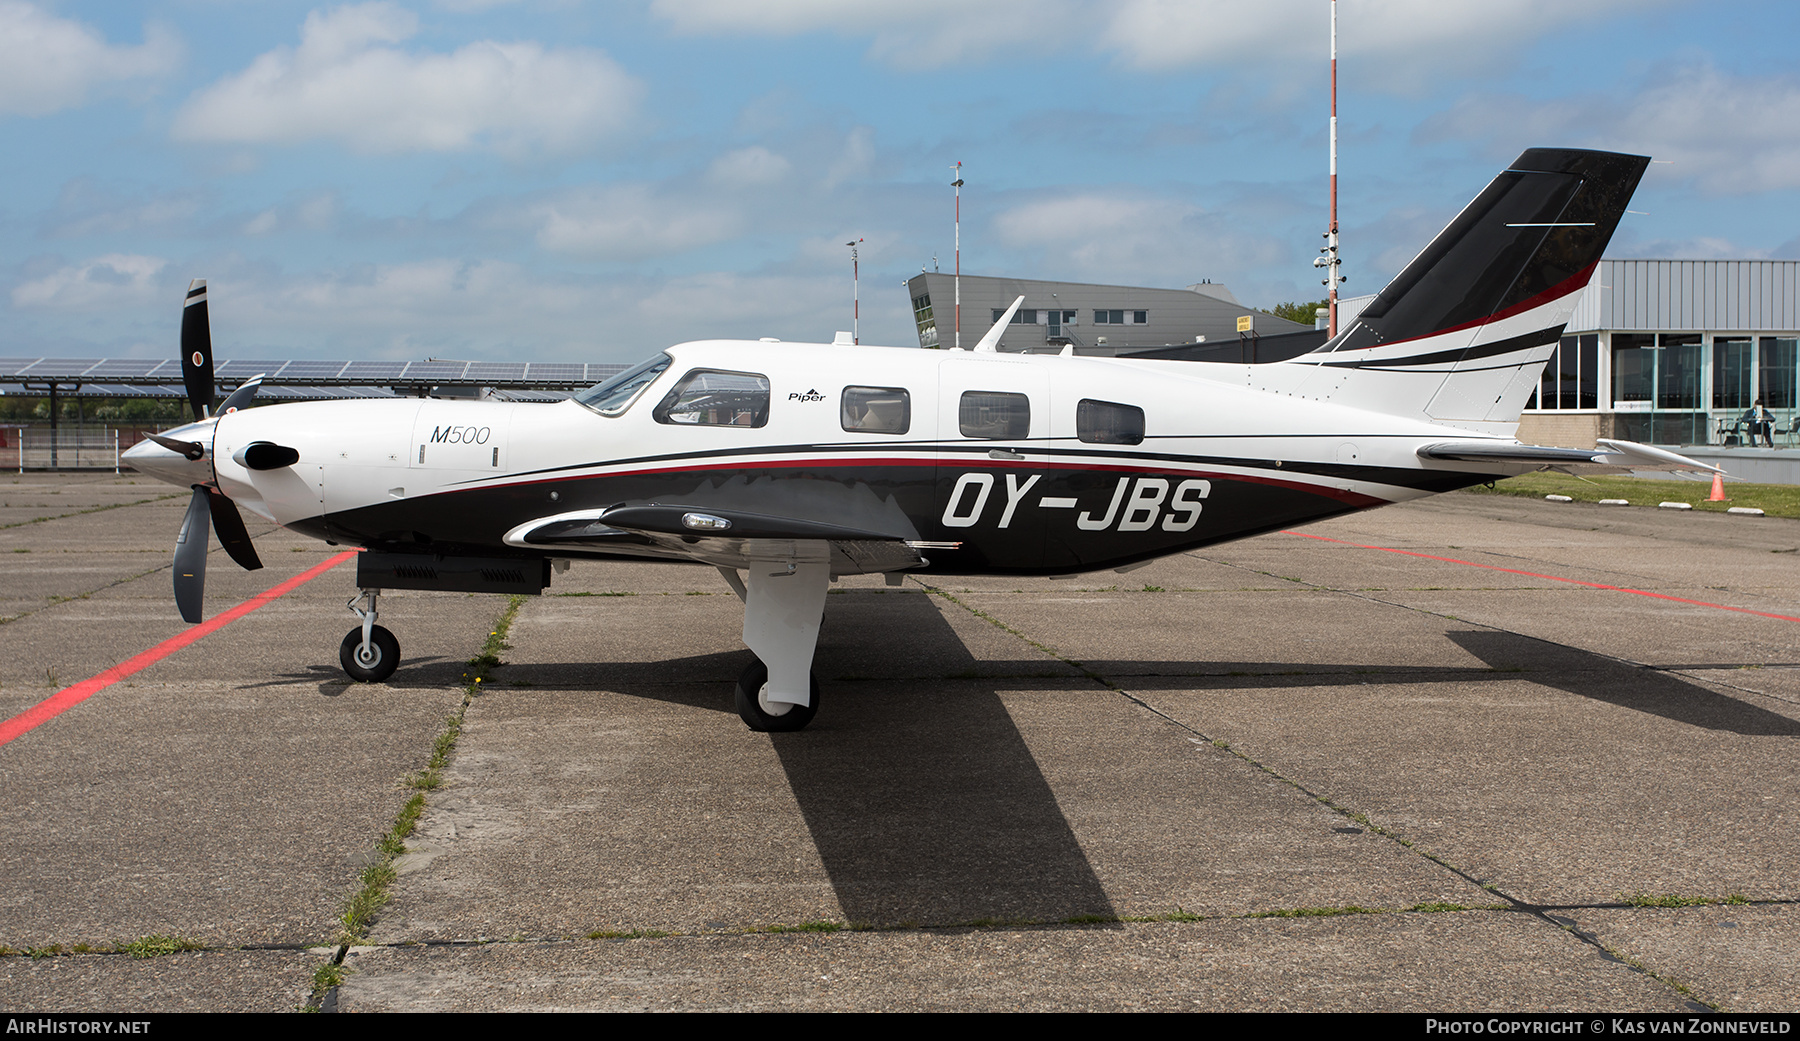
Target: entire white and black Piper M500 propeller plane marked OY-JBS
[789, 466]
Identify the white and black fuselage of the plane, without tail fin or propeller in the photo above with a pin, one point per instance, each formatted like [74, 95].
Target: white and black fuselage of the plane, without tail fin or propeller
[1018, 464]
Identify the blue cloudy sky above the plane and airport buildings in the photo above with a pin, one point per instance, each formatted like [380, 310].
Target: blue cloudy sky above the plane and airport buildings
[564, 181]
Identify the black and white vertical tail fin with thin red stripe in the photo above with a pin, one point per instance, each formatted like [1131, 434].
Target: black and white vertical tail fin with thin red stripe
[1464, 332]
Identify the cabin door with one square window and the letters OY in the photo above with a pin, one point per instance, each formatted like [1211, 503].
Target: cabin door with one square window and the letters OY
[993, 460]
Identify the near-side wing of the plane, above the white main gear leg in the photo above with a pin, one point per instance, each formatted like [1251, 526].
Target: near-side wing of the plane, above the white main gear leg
[721, 538]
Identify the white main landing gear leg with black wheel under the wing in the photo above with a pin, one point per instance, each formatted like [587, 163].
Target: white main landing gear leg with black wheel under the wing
[782, 608]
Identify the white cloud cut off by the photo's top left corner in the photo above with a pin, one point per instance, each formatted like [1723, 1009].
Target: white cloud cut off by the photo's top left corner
[49, 64]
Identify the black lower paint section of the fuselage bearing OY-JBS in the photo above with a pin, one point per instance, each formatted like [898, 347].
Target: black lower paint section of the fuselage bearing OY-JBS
[1025, 518]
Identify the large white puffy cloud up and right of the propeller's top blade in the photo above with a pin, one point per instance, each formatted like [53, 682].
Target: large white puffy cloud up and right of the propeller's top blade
[348, 84]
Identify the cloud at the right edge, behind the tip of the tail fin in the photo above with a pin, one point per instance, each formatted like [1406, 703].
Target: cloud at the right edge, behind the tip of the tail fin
[1723, 134]
